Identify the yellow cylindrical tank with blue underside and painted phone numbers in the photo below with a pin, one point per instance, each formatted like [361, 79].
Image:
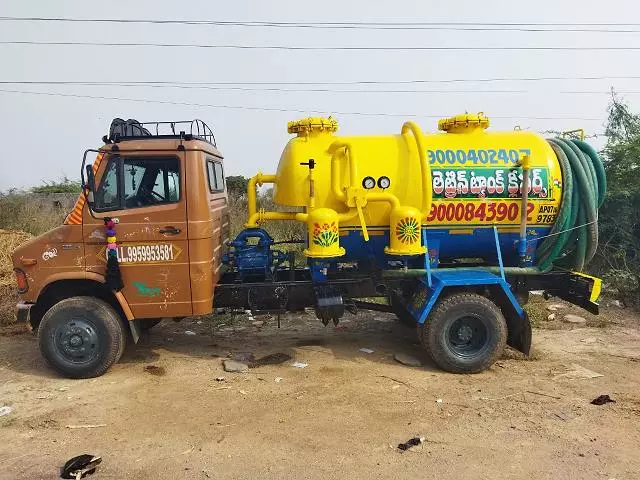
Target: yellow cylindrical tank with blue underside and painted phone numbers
[459, 182]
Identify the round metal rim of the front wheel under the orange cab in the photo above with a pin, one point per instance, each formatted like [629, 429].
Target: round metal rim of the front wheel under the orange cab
[77, 341]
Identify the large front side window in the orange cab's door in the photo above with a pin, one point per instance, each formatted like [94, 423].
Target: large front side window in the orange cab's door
[144, 181]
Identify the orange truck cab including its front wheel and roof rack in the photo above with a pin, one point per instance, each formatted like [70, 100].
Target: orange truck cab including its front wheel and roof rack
[165, 194]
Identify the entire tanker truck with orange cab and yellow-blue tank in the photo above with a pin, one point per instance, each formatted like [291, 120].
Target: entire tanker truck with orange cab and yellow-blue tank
[449, 231]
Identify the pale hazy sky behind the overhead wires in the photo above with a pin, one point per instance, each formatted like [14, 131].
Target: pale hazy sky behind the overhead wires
[44, 136]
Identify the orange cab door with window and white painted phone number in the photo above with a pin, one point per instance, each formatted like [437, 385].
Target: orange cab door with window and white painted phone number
[145, 194]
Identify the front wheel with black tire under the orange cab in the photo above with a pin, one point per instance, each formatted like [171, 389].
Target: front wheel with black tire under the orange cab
[81, 337]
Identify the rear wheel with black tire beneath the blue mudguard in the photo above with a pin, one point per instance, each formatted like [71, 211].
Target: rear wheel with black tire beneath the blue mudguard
[465, 333]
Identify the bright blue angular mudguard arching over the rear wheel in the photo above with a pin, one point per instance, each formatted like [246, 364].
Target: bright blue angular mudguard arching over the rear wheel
[424, 299]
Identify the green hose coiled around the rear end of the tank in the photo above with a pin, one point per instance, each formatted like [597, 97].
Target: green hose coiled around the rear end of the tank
[573, 239]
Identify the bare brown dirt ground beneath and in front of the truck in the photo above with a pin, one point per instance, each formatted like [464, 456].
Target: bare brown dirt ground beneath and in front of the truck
[340, 417]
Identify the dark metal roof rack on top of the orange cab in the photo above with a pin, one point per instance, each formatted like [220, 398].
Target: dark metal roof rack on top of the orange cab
[182, 129]
